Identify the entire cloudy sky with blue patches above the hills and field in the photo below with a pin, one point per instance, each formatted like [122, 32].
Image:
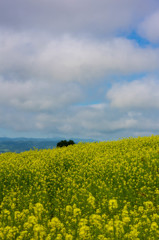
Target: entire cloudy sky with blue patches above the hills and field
[79, 69]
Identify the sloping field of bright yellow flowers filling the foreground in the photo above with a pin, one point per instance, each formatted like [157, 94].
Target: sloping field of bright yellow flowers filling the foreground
[88, 191]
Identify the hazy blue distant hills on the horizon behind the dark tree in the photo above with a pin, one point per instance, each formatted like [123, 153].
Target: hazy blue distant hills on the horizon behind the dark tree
[25, 144]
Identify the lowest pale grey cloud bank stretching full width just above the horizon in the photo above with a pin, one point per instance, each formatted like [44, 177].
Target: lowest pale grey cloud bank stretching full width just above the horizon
[97, 122]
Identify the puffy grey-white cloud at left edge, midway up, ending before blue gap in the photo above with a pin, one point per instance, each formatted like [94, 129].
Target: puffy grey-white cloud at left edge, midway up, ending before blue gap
[30, 96]
